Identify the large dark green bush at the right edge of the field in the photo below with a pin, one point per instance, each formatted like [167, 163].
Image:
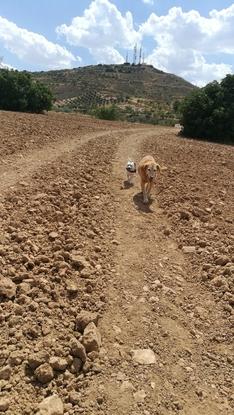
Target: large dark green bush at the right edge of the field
[208, 113]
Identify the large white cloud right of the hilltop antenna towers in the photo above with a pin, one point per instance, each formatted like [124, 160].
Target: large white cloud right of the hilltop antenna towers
[185, 40]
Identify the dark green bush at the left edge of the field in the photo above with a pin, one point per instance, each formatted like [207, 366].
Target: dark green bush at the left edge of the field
[18, 92]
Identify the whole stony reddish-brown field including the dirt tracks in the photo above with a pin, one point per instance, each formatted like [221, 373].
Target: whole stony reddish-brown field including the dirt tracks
[73, 238]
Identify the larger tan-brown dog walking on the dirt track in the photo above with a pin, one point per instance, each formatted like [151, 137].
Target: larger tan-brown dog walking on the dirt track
[147, 170]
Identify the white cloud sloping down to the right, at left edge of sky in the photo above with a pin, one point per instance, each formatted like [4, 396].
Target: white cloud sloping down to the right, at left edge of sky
[33, 48]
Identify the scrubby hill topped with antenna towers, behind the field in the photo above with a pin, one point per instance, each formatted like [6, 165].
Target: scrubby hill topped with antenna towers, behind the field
[141, 92]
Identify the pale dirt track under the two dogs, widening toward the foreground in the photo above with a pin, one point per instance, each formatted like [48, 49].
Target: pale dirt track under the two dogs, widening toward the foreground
[153, 304]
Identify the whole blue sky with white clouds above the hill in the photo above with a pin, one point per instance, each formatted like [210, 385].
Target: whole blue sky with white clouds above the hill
[190, 38]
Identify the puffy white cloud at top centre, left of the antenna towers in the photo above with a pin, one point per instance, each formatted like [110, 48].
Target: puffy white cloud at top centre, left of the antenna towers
[102, 29]
